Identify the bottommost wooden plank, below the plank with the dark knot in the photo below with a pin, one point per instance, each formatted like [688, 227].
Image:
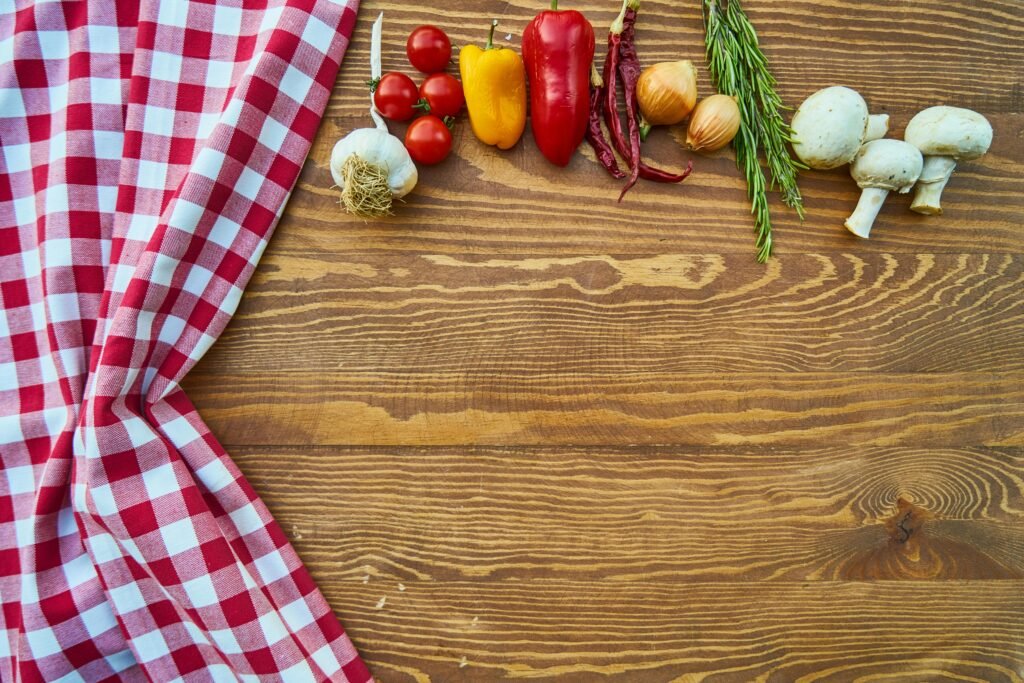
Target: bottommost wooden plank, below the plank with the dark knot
[665, 631]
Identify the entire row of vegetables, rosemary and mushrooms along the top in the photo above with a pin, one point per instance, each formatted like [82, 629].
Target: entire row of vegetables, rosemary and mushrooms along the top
[571, 99]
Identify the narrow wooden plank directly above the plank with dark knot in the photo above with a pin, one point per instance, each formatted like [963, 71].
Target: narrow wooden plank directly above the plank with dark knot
[805, 409]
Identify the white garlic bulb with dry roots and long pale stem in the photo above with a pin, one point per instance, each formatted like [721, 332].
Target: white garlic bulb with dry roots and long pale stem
[370, 166]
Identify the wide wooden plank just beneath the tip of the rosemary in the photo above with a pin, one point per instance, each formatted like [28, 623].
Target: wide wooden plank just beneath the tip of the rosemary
[671, 313]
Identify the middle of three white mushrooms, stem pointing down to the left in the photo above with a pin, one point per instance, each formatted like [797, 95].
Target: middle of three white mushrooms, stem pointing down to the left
[881, 167]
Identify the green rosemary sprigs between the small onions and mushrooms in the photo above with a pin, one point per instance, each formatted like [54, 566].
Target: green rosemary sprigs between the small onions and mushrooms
[739, 68]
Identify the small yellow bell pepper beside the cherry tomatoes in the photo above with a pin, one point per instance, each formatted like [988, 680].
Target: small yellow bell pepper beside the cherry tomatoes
[495, 82]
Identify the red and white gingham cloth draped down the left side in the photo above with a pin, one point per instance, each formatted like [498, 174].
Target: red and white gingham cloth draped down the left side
[147, 151]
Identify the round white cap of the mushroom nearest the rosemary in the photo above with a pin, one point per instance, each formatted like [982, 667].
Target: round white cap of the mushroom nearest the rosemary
[829, 129]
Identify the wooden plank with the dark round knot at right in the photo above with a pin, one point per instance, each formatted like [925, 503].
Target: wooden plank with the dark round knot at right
[642, 514]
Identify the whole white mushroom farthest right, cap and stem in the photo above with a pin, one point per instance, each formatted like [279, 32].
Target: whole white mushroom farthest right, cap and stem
[946, 136]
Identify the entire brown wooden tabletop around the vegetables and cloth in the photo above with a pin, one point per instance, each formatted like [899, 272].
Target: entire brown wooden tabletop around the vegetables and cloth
[523, 432]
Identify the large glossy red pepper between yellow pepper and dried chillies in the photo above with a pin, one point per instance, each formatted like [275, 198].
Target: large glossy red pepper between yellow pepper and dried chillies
[559, 50]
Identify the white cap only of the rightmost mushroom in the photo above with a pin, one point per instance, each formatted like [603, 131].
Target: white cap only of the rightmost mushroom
[950, 132]
